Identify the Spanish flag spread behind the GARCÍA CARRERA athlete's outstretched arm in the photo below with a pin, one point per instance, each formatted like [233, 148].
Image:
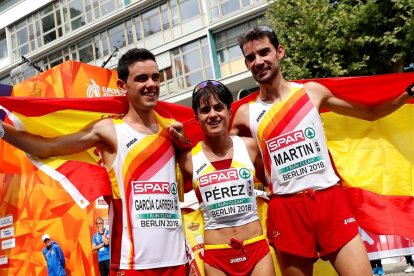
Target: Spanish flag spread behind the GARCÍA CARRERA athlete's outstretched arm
[82, 175]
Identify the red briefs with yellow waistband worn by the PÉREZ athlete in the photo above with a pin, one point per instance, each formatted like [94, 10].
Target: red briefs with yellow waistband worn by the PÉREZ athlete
[238, 258]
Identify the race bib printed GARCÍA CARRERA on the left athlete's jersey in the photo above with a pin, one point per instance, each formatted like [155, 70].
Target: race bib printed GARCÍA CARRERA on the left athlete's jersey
[155, 205]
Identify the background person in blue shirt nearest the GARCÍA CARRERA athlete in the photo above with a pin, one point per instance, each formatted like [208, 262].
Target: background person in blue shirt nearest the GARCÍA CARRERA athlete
[100, 243]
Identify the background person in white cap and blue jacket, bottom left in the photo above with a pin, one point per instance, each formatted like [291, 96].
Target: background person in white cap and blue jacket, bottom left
[54, 257]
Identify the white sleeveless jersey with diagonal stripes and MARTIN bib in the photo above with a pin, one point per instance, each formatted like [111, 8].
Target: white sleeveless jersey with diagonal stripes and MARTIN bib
[293, 144]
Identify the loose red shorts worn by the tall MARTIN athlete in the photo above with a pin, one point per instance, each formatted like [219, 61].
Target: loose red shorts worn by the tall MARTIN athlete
[311, 224]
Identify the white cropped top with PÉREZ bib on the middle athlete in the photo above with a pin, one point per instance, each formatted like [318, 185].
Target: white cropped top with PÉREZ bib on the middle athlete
[228, 197]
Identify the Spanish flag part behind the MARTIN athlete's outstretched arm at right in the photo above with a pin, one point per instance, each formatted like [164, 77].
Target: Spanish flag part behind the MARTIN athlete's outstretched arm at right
[375, 160]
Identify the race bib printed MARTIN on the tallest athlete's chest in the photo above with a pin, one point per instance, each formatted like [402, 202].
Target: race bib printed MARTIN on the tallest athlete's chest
[296, 154]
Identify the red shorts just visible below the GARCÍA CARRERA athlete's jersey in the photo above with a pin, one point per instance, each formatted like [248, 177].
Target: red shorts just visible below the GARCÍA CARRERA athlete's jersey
[180, 270]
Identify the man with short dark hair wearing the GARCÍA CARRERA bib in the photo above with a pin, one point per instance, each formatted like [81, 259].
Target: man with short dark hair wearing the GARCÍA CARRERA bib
[145, 218]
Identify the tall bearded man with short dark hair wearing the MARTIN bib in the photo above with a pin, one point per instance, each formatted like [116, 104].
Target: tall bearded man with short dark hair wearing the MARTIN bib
[308, 214]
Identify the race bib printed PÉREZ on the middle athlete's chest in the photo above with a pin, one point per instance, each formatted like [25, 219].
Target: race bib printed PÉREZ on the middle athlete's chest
[227, 192]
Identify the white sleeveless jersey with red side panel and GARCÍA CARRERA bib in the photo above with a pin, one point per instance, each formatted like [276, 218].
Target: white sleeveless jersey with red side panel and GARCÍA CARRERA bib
[145, 218]
